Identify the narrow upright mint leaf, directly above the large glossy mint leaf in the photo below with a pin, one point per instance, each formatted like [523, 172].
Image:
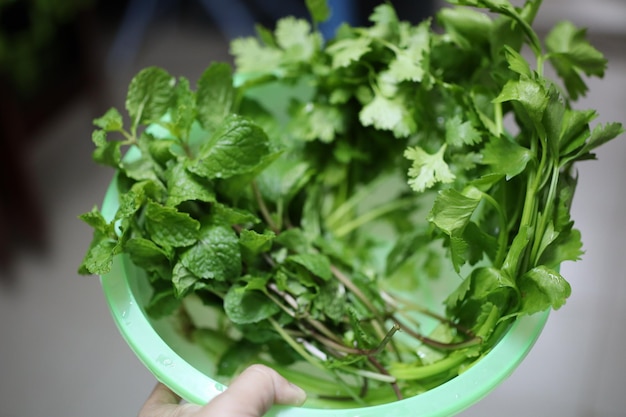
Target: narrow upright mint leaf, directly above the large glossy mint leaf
[215, 95]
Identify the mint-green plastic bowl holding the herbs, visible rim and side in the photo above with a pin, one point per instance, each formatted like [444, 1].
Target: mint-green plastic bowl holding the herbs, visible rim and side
[186, 368]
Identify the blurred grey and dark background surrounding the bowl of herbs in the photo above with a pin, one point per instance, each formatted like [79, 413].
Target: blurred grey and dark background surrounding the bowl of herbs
[64, 62]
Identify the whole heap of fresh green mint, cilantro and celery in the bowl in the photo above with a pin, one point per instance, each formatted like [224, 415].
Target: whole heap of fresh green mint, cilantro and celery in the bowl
[305, 200]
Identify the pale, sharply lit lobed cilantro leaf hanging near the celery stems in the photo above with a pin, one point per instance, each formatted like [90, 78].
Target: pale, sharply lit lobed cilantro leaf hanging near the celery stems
[426, 169]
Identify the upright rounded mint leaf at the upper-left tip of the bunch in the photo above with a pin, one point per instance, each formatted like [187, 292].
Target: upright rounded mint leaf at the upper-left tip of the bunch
[149, 95]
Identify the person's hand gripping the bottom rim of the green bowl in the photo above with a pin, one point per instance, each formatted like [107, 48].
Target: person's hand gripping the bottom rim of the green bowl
[251, 394]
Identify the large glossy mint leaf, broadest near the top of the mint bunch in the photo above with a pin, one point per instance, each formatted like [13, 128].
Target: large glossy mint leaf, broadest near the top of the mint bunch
[236, 147]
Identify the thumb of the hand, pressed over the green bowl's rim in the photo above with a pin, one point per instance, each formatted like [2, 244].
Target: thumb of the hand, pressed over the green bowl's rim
[252, 394]
